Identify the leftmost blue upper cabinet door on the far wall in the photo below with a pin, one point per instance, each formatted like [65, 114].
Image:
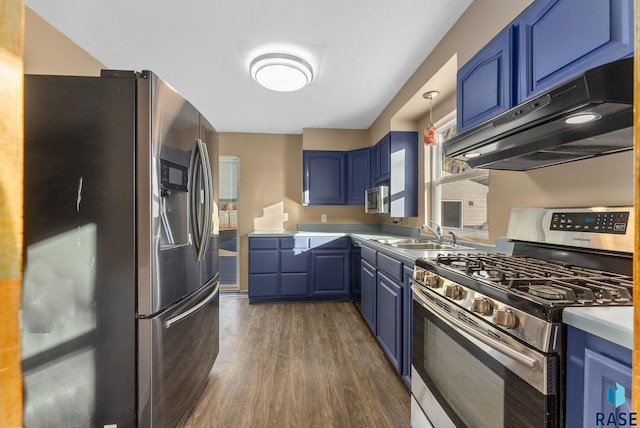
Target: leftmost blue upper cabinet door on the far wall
[324, 174]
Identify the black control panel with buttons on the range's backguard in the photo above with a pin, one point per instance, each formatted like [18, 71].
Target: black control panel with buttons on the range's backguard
[591, 222]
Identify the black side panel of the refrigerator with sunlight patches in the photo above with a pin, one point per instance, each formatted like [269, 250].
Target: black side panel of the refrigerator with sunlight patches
[78, 331]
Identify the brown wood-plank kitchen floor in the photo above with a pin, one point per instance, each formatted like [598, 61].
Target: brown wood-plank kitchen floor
[299, 365]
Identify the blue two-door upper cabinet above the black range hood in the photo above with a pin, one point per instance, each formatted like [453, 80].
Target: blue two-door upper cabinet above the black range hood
[549, 43]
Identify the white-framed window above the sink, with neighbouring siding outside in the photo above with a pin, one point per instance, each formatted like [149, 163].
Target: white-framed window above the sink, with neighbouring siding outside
[459, 192]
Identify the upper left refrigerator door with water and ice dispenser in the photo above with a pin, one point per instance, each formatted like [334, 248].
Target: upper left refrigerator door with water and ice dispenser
[167, 135]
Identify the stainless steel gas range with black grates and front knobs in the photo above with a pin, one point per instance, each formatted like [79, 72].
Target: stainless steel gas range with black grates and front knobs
[488, 341]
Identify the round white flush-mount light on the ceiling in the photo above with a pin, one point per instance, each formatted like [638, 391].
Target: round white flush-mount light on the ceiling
[281, 72]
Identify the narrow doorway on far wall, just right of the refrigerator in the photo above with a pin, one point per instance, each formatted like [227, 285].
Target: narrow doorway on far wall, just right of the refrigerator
[229, 174]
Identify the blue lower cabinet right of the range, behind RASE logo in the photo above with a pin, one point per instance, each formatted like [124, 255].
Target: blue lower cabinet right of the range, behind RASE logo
[598, 382]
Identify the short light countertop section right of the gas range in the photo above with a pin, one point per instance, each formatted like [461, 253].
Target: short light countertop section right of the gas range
[614, 324]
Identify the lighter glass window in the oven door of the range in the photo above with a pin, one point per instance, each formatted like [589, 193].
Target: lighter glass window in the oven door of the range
[470, 387]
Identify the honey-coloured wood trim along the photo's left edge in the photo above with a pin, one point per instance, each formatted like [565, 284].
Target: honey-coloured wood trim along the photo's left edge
[11, 173]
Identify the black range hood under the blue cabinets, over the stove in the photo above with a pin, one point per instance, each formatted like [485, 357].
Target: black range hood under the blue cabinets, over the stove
[535, 134]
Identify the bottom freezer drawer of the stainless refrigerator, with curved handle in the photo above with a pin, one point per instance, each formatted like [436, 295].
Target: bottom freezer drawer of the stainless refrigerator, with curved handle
[176, 350]
